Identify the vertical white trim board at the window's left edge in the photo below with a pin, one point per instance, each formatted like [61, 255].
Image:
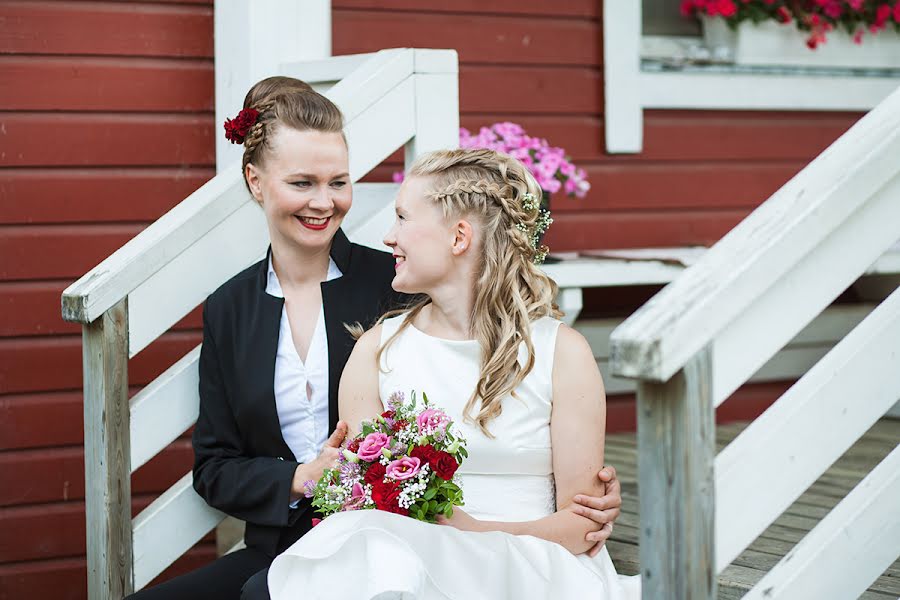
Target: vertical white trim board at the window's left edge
[623, 115]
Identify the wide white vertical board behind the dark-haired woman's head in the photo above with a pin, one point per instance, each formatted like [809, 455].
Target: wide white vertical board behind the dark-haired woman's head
[252, 39]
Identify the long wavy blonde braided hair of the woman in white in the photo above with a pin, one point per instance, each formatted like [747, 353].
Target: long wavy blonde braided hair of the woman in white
[511, 291]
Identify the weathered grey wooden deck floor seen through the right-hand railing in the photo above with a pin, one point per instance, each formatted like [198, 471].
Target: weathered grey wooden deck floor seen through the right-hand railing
[784, 533]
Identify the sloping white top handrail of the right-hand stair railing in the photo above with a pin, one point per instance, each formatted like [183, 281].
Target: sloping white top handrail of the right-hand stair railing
[665, 333]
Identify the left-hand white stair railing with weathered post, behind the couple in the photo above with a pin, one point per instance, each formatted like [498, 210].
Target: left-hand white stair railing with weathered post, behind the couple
[391, 99]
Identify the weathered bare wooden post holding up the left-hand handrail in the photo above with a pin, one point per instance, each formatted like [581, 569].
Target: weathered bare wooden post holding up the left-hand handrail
[107, 464]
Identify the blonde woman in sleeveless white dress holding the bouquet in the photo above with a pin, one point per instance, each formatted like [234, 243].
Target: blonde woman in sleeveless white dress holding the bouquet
[524, 389]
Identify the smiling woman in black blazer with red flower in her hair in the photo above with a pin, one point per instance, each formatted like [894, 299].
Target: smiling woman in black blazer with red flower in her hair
[296, 166]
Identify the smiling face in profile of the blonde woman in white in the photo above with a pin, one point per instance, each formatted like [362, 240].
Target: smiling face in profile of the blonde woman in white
[422, 240]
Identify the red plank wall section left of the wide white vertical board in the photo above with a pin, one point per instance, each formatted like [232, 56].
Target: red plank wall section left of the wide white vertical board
[106, 114]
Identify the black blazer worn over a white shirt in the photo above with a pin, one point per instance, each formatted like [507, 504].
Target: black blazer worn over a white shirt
[242, 465]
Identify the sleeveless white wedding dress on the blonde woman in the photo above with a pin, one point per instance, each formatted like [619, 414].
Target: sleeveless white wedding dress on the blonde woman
[373, 554]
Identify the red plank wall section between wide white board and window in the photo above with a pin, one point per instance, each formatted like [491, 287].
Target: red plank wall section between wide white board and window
[701, 172]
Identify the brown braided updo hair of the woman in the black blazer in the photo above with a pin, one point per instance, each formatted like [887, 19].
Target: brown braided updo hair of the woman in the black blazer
[285, 102]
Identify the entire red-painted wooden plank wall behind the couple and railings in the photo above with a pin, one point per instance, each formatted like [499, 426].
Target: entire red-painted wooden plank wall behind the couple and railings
[106, 121]
